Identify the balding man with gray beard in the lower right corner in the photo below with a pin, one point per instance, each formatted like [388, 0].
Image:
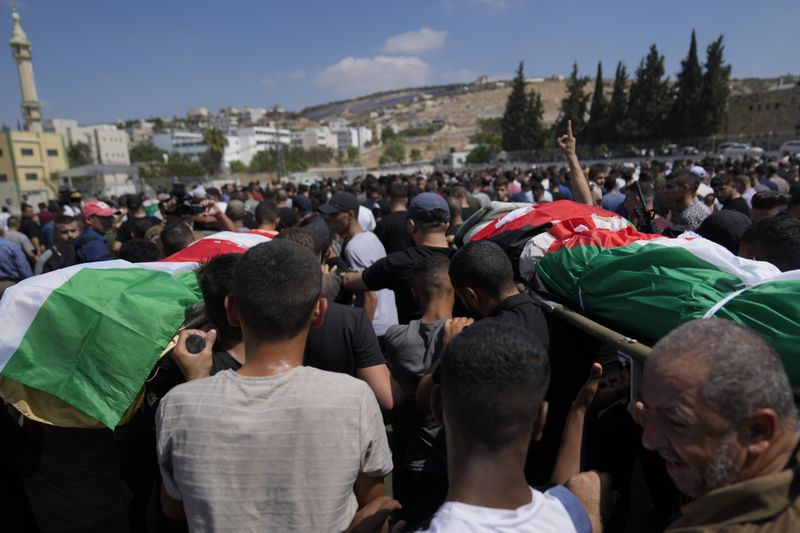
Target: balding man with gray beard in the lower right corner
[718, 407]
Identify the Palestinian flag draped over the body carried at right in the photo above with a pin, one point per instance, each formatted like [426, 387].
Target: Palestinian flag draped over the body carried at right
[647, 285]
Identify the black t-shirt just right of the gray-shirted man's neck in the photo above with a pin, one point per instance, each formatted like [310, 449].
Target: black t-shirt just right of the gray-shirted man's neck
[344, 343]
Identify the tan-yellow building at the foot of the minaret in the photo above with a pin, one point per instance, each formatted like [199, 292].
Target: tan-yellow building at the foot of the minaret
[29, 161]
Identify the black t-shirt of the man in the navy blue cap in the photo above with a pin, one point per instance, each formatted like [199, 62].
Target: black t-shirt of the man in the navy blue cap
[396, 272]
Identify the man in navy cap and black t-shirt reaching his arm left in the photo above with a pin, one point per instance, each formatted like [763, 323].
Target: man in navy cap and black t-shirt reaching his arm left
[427, 220]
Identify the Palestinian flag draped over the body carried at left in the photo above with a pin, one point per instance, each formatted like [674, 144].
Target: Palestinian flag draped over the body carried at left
[79, 343]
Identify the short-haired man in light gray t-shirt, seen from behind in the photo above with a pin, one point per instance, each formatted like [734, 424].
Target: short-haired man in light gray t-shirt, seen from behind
[293, 447]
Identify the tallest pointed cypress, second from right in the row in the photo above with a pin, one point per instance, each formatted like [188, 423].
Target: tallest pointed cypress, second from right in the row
[688, 104]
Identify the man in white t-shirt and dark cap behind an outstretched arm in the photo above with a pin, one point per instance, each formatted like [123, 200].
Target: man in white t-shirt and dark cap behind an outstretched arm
[361, 250]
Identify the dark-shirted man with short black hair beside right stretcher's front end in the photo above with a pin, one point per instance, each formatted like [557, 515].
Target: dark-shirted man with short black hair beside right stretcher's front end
[483, 278]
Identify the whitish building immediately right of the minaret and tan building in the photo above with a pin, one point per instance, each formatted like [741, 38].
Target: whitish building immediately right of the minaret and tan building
[108, 144]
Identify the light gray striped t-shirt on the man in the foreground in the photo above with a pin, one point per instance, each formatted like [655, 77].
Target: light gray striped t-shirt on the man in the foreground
[277, 453]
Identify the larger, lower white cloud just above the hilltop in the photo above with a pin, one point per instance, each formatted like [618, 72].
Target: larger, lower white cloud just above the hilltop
[355, 76]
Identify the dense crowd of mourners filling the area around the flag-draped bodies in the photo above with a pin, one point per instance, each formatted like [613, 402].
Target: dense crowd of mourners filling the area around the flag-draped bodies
[361, 346]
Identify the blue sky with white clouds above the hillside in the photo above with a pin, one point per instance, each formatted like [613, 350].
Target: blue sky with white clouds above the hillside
[103, 60]
